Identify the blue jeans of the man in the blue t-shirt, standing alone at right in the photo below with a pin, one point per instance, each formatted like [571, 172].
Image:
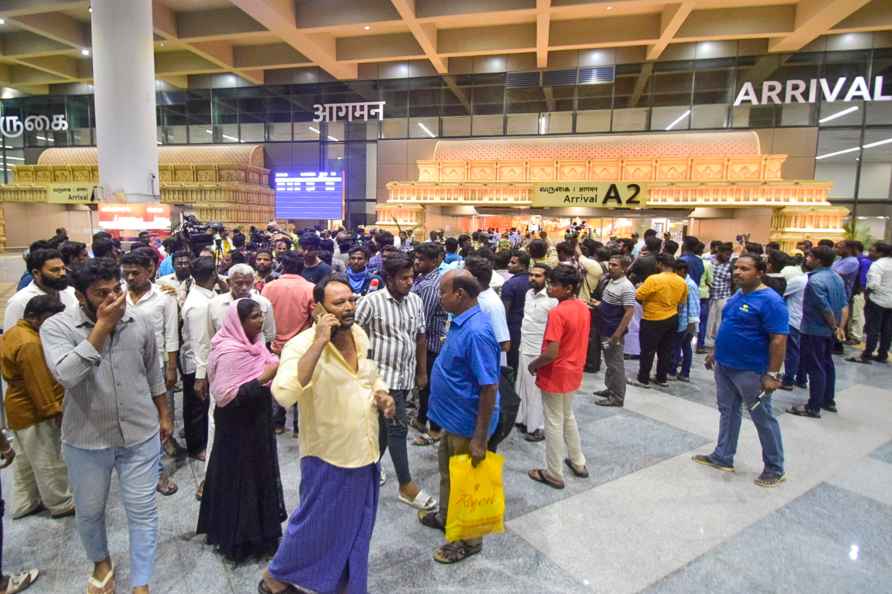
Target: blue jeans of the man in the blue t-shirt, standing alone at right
[736, 386]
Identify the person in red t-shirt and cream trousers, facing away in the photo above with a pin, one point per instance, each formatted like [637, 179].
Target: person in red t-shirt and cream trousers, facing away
[558, 372]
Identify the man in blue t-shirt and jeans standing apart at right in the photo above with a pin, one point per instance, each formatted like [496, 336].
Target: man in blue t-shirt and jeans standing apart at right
[749, 352]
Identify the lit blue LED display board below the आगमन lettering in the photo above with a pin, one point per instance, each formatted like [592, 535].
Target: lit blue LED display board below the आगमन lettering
[309, 195]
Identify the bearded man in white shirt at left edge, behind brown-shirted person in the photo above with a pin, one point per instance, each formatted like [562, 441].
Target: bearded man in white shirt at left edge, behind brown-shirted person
[49, 278]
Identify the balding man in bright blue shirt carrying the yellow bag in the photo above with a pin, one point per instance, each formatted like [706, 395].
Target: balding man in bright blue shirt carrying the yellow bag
[464, 397]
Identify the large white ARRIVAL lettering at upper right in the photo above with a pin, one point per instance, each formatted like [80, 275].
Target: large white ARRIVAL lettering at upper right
[812, 91]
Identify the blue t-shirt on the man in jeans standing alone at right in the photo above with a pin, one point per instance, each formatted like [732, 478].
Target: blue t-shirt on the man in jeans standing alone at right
[748, 321]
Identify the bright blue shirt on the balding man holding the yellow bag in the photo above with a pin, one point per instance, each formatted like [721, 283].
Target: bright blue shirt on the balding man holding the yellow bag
[468, 359]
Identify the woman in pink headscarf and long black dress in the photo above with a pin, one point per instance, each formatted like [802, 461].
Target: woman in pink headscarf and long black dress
[242, 507]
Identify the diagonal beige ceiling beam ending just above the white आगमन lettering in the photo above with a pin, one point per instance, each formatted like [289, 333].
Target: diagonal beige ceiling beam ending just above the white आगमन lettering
[278, 16]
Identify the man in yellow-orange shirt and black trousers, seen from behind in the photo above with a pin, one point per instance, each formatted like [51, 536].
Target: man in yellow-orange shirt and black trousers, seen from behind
[660, 297]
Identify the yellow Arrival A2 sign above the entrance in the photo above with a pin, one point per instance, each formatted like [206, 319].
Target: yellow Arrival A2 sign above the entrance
[592, 195]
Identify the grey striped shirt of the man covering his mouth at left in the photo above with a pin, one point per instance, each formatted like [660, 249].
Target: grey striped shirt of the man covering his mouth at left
[108, 394]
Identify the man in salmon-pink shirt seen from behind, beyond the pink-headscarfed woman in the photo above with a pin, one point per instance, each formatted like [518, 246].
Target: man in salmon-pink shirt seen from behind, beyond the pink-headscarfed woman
[292, 299]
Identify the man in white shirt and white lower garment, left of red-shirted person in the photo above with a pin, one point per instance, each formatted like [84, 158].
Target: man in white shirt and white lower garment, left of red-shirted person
[530, 415]
